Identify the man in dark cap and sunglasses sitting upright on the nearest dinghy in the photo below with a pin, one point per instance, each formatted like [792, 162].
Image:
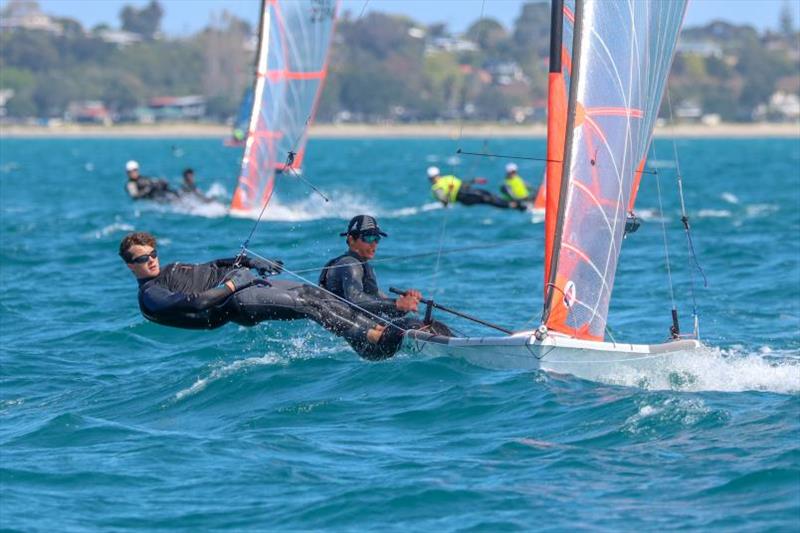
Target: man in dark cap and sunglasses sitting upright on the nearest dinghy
[351, 277]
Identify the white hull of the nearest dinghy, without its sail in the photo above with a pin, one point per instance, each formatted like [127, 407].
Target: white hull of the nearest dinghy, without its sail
[555, 353]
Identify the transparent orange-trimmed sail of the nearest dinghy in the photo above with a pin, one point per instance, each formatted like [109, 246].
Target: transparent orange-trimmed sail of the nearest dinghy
[622, 51]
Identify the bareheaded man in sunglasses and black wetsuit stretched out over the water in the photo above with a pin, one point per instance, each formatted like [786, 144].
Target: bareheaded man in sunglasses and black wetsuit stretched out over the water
[206, 296]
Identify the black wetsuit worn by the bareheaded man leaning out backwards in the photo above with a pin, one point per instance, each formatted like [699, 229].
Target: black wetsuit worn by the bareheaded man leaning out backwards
[194, 296]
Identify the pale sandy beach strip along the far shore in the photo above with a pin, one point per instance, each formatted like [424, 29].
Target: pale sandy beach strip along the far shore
[353, 131]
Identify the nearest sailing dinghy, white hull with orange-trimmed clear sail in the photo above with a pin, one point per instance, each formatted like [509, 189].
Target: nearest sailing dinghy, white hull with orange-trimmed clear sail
[602, 108]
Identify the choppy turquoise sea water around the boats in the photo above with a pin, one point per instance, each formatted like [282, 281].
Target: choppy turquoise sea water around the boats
[108, 422]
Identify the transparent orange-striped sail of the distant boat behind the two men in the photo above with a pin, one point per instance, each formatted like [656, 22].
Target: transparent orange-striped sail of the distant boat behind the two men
[291, 65]
